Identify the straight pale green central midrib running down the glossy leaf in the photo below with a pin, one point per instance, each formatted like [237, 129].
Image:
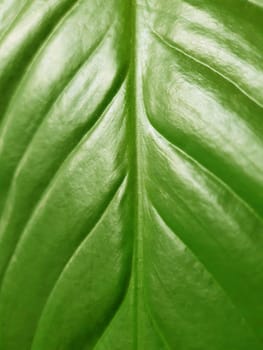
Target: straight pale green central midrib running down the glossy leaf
[134, 138]
